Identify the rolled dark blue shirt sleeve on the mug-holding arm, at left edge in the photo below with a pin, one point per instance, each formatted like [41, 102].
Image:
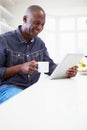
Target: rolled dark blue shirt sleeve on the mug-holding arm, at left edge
[2, 58]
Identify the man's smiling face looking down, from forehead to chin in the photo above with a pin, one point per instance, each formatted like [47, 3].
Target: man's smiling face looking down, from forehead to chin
[35, 23]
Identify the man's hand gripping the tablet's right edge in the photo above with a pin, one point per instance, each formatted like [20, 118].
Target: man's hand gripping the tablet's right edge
[71, 72]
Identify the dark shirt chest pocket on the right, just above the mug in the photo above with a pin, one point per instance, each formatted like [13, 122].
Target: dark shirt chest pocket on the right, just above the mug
[37, 56]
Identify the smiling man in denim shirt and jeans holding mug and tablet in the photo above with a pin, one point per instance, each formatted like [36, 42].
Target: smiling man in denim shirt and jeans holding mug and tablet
[20, 51]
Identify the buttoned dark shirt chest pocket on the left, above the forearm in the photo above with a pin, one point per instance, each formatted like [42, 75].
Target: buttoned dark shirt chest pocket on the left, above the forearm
[14, 58]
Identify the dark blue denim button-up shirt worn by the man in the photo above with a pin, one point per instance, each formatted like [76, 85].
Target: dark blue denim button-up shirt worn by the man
[15, 50]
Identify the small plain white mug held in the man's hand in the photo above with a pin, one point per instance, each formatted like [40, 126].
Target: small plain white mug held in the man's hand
[43, 67]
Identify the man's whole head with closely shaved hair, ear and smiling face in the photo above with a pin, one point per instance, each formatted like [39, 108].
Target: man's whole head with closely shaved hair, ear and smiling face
[33, 21]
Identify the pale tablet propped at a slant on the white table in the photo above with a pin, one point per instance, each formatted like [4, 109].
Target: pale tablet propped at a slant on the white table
[69, 61]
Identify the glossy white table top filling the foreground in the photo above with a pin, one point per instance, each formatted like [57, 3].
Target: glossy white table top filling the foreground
[48, 105]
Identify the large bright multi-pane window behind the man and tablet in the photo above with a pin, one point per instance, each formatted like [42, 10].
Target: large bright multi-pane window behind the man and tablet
[65, 34]
